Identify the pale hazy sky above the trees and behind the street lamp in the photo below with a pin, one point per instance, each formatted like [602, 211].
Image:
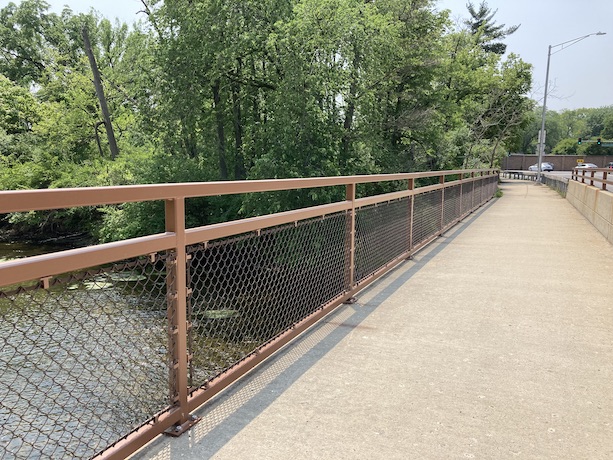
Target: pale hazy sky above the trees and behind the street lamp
[579, 76]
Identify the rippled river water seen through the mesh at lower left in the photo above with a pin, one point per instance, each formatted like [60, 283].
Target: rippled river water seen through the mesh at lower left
[86, 361]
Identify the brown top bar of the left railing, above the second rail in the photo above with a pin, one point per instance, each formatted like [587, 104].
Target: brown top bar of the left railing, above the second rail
[38, 200]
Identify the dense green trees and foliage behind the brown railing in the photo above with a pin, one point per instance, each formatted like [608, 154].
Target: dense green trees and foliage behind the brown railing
[203, 90]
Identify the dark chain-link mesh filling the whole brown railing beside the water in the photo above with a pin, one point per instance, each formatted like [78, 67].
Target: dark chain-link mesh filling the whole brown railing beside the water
[87, 357]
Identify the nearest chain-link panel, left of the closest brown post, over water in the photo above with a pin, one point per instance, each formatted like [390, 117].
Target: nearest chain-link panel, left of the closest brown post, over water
[84, 361]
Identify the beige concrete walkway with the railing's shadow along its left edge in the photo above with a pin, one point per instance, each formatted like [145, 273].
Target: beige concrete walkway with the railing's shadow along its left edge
[496, 342]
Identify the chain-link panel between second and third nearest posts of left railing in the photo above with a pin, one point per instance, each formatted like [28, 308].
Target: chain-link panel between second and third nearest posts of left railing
[382, 234]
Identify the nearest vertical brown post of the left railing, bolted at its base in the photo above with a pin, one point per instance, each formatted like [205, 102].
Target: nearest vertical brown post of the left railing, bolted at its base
[177, 293]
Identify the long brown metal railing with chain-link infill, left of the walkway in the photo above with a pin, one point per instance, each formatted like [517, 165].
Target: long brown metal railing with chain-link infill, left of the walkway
[103, 348]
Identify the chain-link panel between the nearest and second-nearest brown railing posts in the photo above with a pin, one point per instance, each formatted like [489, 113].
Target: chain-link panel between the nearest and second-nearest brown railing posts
[248, 289]
